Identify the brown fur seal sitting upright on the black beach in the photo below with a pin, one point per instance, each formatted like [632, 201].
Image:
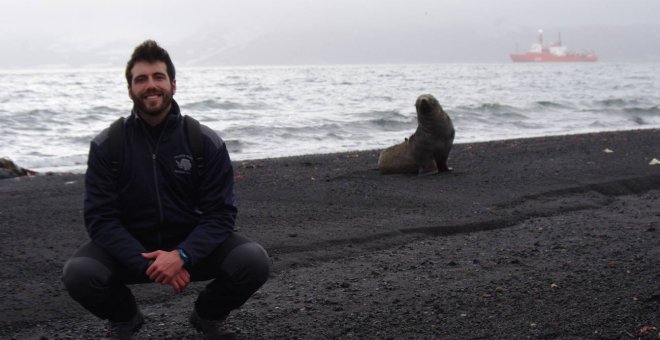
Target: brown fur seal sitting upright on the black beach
[427, 150]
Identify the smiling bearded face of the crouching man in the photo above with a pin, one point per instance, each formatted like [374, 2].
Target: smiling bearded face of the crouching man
[151, 88]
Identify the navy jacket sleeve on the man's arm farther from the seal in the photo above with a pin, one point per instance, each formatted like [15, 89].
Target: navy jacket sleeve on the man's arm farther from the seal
[102, 218]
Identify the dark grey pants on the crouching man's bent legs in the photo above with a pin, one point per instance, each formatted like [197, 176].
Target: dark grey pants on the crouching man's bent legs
[98, 282]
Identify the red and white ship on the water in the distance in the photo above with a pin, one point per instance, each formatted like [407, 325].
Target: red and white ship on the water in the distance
[554, 52]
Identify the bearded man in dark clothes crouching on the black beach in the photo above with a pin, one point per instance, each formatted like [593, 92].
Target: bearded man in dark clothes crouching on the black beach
[157, 212]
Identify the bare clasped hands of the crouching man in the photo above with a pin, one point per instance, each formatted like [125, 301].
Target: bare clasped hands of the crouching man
[166, 268]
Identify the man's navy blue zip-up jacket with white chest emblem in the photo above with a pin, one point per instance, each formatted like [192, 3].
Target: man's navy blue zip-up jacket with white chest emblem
[155, 203]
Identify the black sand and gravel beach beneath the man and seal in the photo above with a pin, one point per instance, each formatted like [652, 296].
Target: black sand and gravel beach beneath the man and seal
[543, 238]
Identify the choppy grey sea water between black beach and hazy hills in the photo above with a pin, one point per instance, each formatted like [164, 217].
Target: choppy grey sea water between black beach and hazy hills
[47, 118]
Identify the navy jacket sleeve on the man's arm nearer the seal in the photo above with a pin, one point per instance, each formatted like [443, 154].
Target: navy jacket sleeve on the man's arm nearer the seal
[216, 201]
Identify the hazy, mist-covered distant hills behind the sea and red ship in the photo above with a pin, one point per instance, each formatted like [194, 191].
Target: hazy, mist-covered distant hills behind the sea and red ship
[424, 43]
